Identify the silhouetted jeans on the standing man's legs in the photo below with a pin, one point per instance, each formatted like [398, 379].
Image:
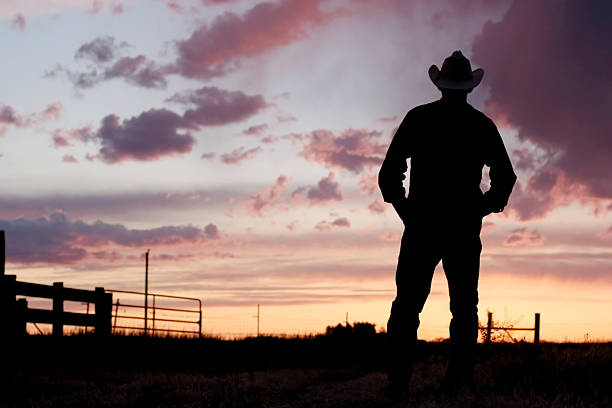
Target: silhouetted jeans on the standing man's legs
[424, 244]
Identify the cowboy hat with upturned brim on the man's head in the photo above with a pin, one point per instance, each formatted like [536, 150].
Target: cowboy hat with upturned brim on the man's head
[456, 73]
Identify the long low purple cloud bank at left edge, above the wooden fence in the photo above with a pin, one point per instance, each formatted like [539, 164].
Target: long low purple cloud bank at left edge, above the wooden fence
[58, 240]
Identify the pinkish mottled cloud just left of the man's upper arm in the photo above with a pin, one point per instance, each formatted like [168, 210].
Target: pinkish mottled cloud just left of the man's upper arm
[353, 149]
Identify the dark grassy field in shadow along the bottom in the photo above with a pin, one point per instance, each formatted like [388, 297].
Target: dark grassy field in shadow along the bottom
[133, 371]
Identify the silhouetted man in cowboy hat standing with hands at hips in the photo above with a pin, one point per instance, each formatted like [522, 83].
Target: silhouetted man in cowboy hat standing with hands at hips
[448, 142]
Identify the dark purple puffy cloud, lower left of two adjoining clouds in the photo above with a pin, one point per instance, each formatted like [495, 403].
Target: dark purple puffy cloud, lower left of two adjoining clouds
[149, 136]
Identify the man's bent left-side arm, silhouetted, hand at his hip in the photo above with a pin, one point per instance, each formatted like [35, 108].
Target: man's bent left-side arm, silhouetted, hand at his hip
[391, 174]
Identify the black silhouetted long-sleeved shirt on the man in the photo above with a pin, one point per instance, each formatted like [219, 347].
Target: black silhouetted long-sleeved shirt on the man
[448, 143]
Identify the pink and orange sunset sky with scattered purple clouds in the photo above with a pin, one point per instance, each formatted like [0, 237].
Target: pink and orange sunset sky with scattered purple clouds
[240, 141]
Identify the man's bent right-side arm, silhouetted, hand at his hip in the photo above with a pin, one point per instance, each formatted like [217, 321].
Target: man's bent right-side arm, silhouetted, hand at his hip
[501, 173]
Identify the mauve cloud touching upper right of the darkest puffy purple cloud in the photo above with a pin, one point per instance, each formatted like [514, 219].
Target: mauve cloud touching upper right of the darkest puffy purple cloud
[215, 107]
